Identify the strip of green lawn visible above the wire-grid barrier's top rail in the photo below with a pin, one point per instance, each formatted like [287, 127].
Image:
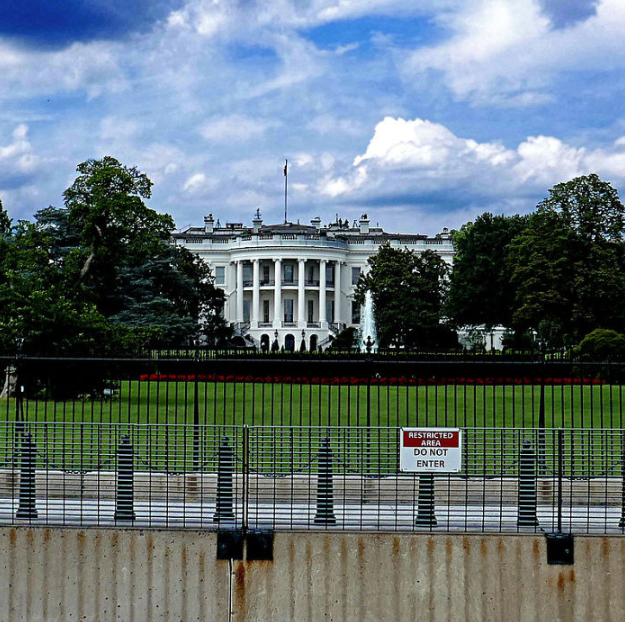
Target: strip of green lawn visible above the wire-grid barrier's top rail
[304, 405]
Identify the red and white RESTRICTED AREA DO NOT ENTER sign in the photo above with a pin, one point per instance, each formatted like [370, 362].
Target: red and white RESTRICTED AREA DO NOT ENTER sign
[430, 450]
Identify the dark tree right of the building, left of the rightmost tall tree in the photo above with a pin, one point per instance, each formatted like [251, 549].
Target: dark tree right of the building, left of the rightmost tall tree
[481, 290]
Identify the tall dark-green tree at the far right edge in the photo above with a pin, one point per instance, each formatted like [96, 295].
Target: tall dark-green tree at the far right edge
[568, 265]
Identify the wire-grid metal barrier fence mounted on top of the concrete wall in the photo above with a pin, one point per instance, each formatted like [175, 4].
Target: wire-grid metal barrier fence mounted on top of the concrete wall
[308, 478]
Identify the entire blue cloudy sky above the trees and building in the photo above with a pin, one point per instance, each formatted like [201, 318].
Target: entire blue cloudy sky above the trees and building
[420, 113]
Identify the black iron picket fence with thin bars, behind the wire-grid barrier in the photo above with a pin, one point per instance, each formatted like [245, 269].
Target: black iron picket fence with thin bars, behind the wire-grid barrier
[337, 392]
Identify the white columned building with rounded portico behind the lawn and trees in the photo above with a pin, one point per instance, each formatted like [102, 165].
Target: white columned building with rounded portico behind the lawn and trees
[291, 282]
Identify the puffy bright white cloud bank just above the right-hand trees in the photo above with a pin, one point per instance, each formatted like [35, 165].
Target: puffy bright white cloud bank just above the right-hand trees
[419, 157]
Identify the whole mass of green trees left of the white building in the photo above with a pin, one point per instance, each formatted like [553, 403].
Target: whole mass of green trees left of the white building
[101, 275]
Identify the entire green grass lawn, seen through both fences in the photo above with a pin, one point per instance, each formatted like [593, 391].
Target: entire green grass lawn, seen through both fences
[381, 408]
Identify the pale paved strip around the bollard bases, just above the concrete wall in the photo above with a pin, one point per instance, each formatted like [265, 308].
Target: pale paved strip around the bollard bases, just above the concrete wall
[195, 515]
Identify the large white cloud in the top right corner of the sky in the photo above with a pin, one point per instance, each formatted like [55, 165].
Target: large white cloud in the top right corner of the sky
[508, 52]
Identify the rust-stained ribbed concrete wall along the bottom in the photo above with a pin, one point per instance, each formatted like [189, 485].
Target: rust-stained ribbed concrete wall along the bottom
[133, 575]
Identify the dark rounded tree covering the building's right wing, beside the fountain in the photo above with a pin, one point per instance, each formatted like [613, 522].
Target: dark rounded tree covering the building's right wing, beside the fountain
[408, 292]
